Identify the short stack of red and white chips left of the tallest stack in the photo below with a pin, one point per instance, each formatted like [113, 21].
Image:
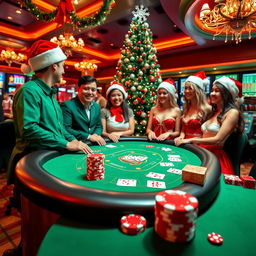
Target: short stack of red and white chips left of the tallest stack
[133, 224]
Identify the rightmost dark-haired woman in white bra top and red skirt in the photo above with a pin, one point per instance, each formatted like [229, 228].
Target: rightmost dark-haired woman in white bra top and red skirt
[226, 118]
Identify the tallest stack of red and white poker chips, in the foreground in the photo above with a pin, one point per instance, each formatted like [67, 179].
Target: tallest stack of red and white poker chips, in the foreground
[175, 215]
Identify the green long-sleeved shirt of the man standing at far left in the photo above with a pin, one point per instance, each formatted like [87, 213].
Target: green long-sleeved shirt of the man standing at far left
[38, 122]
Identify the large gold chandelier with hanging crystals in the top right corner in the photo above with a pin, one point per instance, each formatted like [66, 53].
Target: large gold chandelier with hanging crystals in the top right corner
[230, 17]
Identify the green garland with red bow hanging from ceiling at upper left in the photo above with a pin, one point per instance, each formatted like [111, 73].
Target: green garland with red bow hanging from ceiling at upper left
[65, 13]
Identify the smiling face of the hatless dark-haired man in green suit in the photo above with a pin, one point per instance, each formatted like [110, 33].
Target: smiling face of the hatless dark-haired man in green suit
[87, 92]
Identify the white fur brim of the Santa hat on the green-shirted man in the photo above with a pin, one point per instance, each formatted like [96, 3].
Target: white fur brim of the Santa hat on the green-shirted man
[46, 58]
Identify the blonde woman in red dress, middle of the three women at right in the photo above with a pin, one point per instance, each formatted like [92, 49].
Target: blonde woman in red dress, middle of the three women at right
[196, 108]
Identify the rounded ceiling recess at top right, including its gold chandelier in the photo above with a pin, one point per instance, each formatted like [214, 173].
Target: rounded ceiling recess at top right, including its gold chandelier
[220, 19]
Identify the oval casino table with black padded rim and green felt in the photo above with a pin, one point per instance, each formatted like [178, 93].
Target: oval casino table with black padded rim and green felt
[53, 184]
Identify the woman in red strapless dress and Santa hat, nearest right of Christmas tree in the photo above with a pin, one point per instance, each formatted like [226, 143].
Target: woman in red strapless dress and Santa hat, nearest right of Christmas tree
[164, 118]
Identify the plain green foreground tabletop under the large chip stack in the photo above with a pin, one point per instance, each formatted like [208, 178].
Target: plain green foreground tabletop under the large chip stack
[232, 215]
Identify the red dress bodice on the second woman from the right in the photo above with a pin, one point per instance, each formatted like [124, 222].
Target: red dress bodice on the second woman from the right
[192, 128]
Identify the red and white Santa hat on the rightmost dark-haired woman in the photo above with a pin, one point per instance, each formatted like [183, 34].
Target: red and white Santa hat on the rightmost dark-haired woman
[232, 85]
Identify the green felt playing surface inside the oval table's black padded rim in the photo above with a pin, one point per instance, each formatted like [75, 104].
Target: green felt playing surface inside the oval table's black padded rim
[125, 160]
